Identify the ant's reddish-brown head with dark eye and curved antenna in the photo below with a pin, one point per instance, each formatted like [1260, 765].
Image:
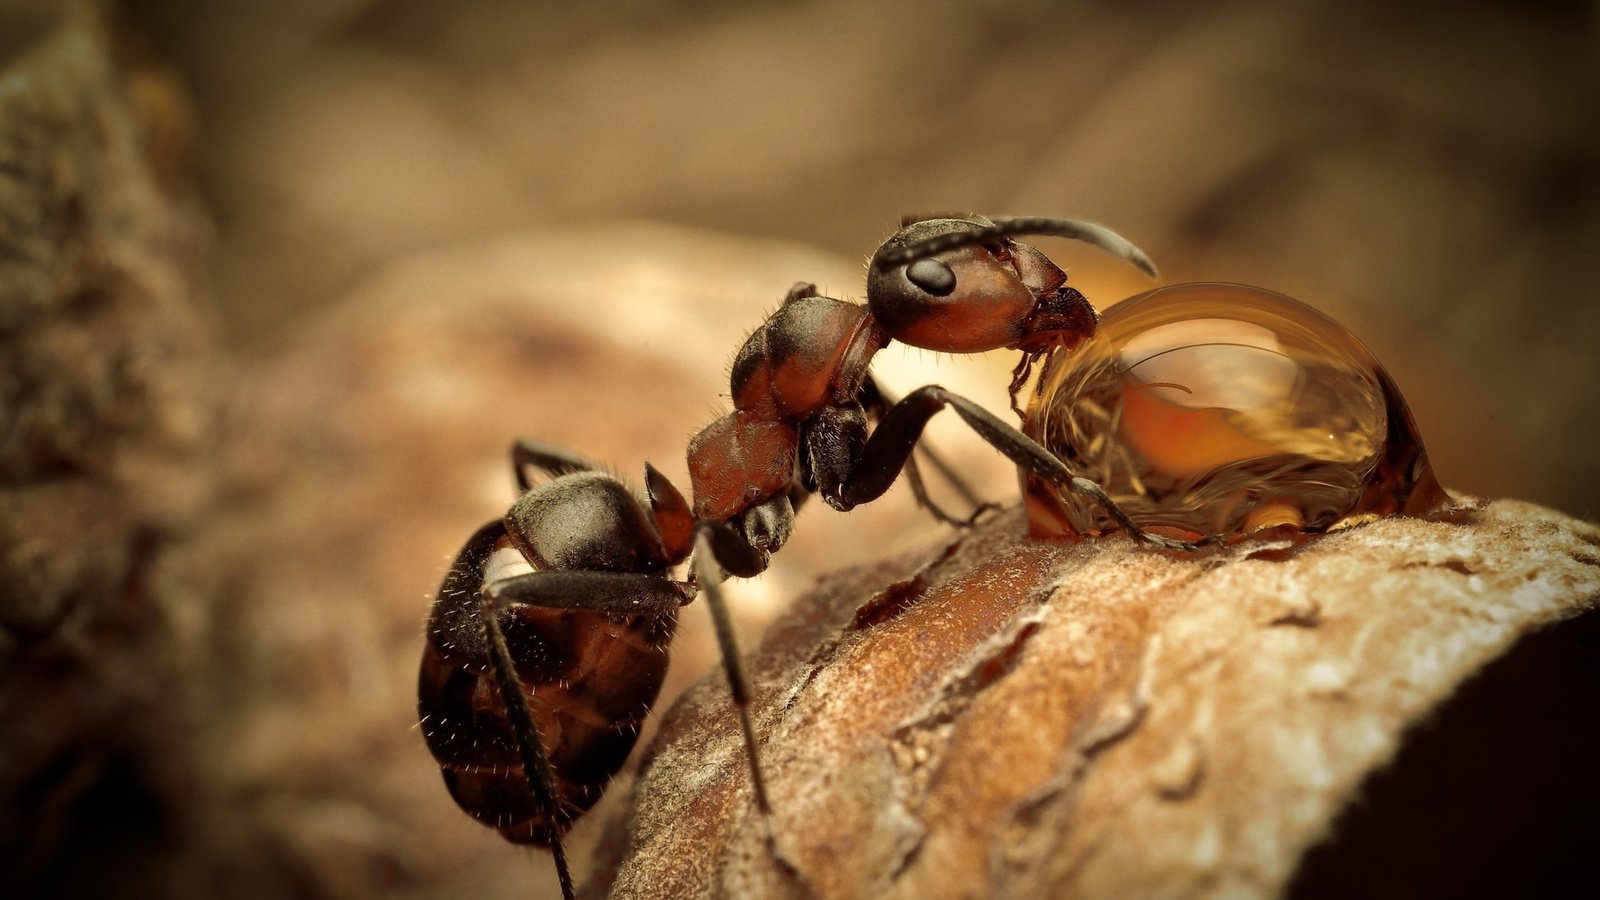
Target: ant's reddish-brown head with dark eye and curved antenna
[964, 286]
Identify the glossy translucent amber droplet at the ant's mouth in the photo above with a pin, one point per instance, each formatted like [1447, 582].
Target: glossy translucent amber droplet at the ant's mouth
[1226, 409]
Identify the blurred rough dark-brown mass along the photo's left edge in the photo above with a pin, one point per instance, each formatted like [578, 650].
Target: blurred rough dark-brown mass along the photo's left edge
[106, 457]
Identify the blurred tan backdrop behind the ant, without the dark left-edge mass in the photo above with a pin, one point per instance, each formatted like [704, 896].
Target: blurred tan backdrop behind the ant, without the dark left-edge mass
[393, 187]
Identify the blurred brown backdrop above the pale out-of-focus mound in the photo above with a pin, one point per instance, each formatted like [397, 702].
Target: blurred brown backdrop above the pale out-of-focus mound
[1425, 174]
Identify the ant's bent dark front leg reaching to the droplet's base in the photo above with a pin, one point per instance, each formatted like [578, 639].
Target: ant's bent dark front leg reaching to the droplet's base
[874, 470]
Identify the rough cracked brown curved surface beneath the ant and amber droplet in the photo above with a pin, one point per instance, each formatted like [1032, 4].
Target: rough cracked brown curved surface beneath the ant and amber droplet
[998, 717]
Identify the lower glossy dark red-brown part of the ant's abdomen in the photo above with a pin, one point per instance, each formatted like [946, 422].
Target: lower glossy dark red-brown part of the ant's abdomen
[590, 680]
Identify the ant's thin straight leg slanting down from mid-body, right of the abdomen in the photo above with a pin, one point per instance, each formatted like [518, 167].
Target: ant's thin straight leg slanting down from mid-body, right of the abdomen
[719, 548]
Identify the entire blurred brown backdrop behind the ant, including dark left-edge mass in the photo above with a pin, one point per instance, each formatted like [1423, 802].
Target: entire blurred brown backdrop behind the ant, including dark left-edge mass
[284, 281]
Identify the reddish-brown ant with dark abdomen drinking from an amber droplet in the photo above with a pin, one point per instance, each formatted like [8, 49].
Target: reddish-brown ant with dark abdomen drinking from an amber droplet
[569, 598]
